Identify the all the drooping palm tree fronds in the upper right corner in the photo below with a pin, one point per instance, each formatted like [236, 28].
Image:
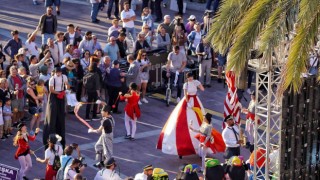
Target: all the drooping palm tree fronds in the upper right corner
[242, 25]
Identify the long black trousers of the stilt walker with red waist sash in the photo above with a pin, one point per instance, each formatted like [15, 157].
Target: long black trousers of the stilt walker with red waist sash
[55, 119]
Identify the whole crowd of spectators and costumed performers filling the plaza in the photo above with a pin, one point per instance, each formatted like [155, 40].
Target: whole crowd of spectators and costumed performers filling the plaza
[39, 78]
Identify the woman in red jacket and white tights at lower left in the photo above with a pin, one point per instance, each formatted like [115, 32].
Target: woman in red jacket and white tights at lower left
[23, 152]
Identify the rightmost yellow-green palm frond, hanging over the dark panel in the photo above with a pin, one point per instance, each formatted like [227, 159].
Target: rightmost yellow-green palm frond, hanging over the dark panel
[298, 53]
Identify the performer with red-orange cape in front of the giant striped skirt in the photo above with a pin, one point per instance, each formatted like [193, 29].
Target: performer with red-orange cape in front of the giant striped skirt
[209, 138]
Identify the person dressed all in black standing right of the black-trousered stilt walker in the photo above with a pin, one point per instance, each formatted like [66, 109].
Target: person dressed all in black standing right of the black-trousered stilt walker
[92, 84]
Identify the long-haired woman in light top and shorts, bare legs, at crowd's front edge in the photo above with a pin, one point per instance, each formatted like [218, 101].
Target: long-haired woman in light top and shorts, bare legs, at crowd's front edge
[145, 65]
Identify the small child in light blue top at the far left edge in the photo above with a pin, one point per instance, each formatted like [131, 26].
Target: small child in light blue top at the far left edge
[7, 116]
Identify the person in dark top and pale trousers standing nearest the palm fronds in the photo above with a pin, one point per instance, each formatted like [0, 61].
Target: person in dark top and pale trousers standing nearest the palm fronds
[205, 56]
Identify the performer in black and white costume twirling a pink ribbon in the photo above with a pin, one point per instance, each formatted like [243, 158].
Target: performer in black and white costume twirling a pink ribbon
[104, 146]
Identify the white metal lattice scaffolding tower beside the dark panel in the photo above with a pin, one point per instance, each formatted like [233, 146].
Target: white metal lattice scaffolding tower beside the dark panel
[267, 133]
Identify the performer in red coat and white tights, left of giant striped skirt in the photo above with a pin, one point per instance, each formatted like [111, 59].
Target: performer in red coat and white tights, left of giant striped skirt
[132, 110]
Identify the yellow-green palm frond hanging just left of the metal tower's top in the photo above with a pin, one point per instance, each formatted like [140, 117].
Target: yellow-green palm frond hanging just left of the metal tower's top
[247, 33]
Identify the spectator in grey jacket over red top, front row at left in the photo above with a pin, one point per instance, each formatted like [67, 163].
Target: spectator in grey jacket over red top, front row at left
[18, 85]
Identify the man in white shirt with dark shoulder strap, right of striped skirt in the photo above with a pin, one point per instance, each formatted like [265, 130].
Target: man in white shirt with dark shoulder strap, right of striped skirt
[231, 137]
